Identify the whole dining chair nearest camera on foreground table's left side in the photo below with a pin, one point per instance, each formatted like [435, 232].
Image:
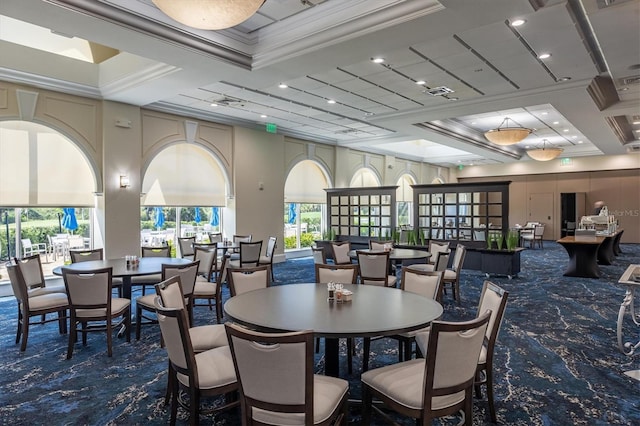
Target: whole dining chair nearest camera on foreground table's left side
[207, 374]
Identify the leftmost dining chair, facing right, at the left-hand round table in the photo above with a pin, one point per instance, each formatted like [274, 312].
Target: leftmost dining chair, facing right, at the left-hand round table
[31, 305]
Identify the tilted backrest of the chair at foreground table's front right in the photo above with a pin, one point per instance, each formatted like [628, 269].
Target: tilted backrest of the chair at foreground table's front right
[452, 356]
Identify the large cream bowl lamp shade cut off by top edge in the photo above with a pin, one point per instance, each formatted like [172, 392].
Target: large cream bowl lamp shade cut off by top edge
[209, 14]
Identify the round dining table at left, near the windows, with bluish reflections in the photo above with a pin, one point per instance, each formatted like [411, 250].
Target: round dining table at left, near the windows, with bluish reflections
[147, 266]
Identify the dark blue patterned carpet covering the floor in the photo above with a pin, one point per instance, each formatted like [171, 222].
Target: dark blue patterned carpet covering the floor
[557, 362]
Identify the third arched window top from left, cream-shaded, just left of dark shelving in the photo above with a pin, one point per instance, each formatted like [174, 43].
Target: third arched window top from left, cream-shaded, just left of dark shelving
[306, 183]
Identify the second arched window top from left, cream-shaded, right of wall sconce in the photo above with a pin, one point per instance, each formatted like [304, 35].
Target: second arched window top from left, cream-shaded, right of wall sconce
[184, 175]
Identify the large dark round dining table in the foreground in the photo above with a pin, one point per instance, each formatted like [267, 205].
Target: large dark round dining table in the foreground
[373, 311]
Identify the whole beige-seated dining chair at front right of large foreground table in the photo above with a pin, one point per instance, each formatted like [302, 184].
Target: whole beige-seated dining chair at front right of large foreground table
[438, 385]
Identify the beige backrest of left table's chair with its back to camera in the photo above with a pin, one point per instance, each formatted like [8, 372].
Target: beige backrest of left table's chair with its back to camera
[89, 289]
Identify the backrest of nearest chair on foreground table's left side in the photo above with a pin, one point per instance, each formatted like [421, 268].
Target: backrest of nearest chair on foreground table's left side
[174, 326]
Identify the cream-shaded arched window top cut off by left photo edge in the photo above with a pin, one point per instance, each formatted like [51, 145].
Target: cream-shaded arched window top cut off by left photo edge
[41, 167]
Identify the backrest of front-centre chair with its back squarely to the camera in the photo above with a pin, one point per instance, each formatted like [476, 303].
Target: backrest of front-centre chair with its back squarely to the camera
[268, 361]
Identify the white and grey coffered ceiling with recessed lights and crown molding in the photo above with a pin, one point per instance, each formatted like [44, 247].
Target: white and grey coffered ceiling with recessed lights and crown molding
[451, 70]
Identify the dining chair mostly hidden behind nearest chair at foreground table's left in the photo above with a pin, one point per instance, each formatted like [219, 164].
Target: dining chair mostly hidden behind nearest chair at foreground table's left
[203, 337]
